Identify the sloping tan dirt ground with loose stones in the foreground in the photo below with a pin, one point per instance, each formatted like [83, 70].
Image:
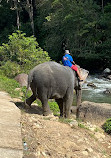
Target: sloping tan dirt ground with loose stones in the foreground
[50, 137]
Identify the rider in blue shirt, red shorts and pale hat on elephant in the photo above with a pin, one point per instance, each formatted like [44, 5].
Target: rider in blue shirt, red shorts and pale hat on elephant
[68, 61]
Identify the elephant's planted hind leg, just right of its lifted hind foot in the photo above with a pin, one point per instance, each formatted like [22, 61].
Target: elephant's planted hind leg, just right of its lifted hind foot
[45, 106]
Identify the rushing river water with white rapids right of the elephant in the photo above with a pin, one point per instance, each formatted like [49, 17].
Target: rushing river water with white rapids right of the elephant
[96, 94]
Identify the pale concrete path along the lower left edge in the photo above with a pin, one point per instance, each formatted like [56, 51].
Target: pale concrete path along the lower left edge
[10, 129]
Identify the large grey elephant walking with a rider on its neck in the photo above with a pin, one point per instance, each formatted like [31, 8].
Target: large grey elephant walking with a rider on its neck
[51, 80]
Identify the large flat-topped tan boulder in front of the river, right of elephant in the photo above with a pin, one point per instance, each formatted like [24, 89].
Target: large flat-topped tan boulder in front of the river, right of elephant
[96, 113]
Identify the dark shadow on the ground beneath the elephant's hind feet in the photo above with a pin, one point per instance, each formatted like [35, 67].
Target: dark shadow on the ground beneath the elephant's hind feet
[34, 109]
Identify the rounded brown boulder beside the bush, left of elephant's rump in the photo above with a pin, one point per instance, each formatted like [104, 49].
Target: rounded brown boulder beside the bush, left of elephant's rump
[22, 79]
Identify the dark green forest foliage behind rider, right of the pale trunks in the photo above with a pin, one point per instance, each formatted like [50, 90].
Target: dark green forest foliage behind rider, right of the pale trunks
[82, 26]
